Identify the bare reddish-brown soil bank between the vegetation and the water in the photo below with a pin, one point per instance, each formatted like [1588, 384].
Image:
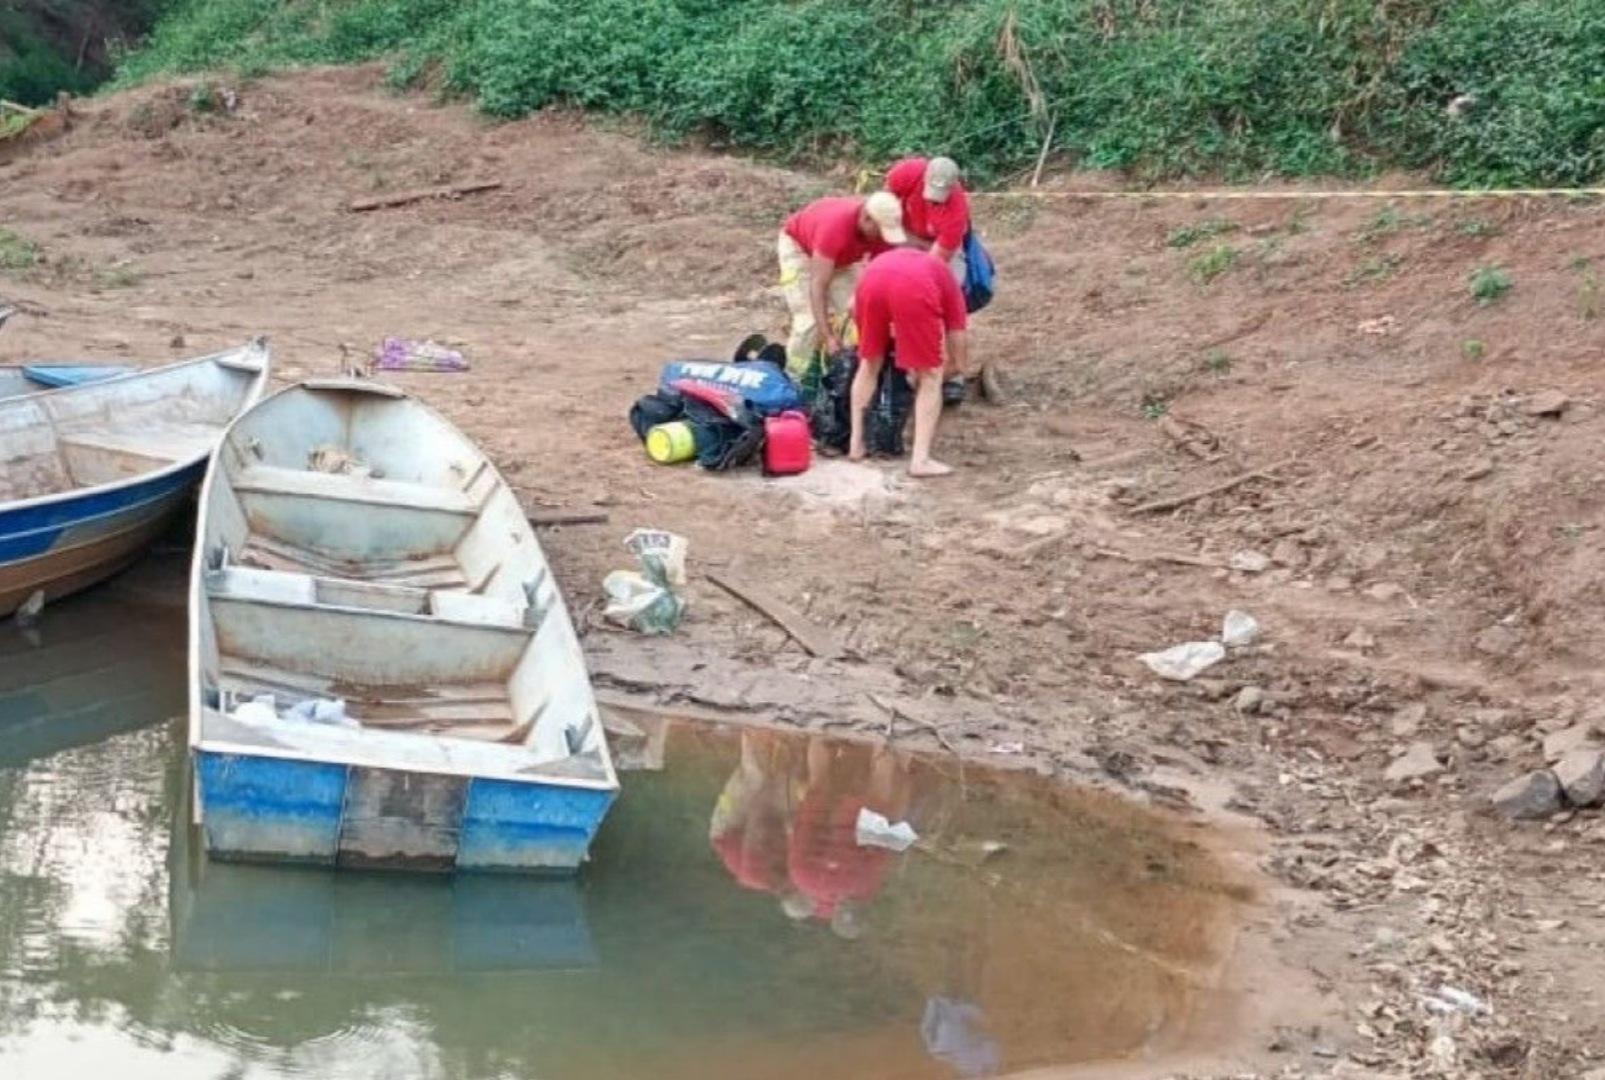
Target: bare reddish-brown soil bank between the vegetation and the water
[1431, 522]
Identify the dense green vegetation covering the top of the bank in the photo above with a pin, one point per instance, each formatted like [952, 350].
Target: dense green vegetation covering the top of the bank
[1471, 91]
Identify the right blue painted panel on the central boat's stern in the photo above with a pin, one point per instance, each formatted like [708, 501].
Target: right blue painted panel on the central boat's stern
[511, 826]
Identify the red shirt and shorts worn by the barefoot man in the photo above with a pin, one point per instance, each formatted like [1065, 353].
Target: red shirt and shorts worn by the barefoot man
[909, 296]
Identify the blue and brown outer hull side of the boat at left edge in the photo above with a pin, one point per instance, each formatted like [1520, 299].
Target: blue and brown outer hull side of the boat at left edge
[75, 543]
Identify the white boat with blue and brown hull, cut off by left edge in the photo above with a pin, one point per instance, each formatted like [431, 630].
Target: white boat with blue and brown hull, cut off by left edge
[94, 473]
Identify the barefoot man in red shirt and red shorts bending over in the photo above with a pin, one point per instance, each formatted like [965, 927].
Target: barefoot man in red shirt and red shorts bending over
[909, 298]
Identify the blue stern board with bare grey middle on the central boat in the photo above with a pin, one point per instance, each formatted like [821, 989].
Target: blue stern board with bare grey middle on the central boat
[330, 814]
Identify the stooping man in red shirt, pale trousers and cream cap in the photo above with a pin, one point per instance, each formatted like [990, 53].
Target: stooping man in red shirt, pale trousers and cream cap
[818, 250]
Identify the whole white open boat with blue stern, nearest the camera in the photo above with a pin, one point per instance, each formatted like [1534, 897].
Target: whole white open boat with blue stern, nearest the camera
[383, 670]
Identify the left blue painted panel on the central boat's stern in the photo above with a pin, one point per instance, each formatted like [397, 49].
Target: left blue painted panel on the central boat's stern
[269, 808]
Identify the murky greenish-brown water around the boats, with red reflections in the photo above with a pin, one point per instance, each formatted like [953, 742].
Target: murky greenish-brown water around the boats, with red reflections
[728, 927]
